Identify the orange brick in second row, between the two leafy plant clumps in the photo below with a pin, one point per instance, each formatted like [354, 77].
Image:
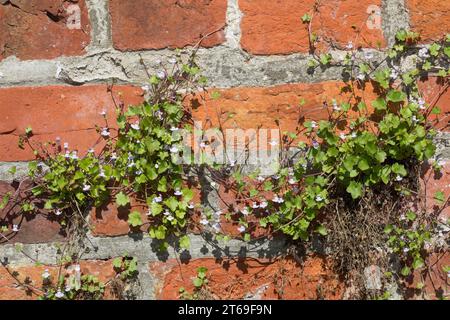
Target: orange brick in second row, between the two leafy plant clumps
[253, 107]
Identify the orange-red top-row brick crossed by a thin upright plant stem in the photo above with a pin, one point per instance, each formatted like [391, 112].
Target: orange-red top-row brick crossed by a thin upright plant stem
[275, 27]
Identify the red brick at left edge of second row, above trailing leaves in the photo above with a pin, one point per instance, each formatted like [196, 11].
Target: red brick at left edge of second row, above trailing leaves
[70, 113]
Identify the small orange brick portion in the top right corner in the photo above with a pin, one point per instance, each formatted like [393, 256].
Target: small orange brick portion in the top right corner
[431, 18]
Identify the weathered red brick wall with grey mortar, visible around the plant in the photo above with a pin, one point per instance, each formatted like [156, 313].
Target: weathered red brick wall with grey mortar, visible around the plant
[58, 56]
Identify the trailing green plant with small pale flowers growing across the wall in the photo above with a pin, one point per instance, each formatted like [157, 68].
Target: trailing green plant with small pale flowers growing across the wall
[349, 185]
